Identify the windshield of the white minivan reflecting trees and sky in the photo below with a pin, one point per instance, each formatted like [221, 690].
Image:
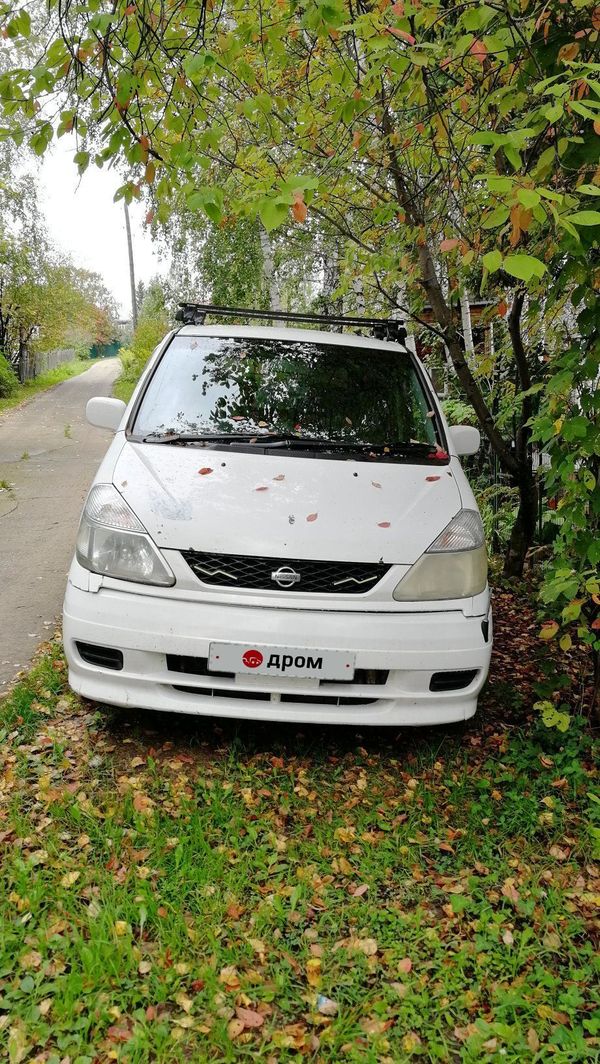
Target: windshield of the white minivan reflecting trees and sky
[214, 386]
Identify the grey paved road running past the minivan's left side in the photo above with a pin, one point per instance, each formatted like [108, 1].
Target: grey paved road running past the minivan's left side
[48, 456]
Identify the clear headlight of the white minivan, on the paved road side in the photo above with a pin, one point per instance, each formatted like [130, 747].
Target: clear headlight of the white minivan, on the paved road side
[112, 542]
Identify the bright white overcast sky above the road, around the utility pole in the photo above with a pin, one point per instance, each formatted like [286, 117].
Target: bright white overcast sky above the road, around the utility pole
[85, 222]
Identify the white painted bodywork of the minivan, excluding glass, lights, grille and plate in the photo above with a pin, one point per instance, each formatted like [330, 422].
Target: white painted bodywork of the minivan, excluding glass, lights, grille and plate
[368, 512]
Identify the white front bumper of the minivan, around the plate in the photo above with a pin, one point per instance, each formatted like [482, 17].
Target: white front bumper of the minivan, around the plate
[410, 646]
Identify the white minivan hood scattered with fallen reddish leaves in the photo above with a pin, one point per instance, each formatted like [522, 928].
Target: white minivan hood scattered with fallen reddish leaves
[282, 506]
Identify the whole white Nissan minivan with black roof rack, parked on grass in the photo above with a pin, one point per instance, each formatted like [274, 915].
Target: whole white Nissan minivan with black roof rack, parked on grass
[281, 530]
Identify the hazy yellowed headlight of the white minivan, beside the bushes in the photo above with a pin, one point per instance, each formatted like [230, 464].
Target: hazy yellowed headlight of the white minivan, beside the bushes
[455, 567]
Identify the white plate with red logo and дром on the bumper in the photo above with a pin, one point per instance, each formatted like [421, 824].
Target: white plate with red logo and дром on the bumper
[245, 659]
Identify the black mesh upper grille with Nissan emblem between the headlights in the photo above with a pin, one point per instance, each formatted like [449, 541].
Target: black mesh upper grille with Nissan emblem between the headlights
[256, 574]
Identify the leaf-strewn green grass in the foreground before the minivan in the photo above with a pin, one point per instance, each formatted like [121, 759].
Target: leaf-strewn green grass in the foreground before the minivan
[182, 890]
